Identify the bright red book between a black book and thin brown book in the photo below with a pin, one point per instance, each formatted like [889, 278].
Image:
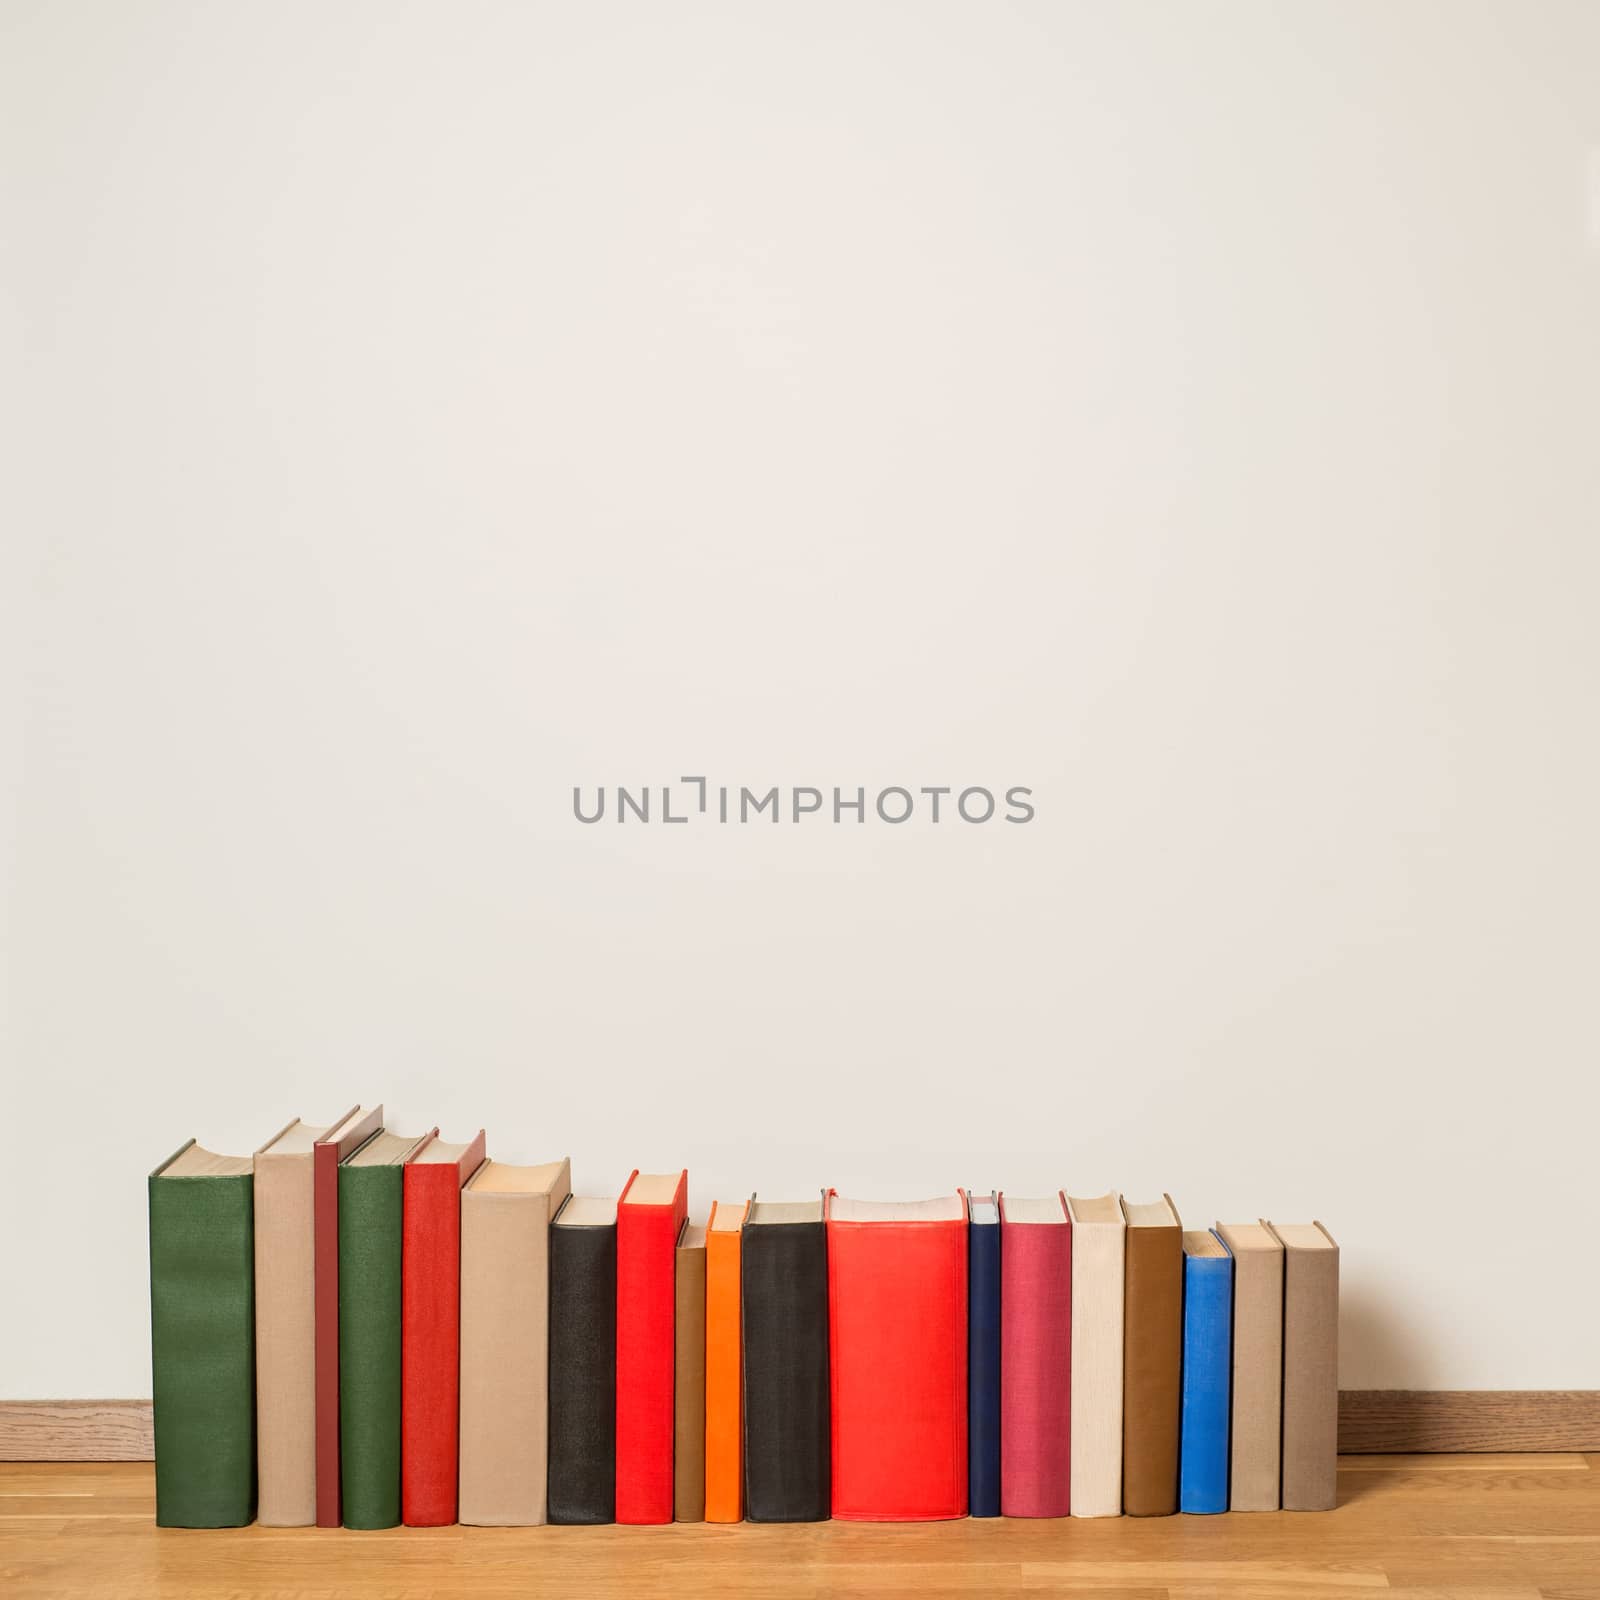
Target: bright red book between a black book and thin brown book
[649, 1222]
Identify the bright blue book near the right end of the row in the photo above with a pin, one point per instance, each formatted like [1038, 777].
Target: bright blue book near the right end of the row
[1209, 1351]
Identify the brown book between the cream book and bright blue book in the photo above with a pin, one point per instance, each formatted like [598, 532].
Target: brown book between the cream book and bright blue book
[1153, 1356]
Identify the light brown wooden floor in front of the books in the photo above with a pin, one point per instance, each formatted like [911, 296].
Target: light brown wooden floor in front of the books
[1471, 1527]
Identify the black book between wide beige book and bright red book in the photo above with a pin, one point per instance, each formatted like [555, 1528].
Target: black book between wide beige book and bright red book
[583, 1362]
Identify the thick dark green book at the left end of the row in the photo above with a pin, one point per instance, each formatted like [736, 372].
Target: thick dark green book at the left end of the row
[204, 1340]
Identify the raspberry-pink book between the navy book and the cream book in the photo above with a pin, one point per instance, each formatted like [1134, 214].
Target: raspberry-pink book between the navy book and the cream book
[1036, 1358]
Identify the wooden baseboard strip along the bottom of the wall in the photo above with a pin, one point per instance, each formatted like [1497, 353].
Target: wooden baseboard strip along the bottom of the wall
[1372, 1422]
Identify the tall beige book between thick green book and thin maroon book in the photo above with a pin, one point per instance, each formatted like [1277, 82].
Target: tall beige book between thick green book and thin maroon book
[286, 1246]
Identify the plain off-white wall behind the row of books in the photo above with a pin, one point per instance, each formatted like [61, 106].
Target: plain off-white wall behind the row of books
[1186, 412]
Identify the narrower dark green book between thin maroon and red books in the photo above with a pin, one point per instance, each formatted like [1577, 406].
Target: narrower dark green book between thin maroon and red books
[370, 1217]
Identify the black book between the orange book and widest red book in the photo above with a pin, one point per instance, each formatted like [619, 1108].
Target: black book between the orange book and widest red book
[783, 1287]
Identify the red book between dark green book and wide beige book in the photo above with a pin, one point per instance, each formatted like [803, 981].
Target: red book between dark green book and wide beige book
[431, 1329]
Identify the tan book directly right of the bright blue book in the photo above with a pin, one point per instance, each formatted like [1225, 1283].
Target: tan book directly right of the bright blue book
[1258, 1366]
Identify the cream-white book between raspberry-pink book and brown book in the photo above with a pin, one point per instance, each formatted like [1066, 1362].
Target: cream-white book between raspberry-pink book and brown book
[1098, 1255]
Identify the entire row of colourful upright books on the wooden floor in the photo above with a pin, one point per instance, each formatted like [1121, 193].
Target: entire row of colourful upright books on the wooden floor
[372, 1329]
